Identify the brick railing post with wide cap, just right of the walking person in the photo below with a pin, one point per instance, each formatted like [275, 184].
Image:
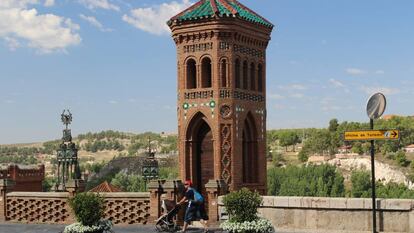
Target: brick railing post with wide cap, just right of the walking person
[215, 188]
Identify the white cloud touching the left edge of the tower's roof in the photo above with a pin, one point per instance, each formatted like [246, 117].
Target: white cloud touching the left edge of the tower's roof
[153, 19]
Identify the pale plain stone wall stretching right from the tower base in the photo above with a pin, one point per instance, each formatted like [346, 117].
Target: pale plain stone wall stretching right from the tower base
[311, 214]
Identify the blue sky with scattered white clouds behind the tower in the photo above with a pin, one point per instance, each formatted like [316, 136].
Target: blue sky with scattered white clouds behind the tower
[112, 63]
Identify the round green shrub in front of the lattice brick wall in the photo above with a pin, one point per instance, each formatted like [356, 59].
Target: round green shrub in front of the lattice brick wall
[88, 208]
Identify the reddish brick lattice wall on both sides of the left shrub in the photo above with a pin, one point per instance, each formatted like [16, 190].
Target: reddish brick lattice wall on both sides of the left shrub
[53, 208]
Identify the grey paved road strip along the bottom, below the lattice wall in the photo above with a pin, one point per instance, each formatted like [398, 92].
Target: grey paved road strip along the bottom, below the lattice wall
[46, 228]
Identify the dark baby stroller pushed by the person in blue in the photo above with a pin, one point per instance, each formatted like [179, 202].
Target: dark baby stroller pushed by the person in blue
[166, 222]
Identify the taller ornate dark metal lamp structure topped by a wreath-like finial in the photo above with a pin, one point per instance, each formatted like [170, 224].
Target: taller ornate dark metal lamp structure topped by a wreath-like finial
[67, 156]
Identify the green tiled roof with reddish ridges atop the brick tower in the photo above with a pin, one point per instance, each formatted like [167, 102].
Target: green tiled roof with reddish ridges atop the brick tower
[220, 8]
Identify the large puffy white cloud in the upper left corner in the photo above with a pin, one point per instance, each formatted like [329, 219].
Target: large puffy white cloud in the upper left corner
[20, 26]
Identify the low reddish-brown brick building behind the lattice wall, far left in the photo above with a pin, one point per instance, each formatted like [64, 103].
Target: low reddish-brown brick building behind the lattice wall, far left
[26, 178]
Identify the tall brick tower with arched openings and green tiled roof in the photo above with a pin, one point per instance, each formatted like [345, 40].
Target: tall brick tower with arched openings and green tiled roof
[221, 52]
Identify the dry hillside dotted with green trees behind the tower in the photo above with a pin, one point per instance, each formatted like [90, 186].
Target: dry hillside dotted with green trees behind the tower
[286, 147]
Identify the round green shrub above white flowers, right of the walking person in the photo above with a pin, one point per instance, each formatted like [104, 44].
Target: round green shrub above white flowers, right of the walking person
[242, 205]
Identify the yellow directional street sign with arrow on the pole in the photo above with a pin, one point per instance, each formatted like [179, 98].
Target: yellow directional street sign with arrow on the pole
[372, 135]
